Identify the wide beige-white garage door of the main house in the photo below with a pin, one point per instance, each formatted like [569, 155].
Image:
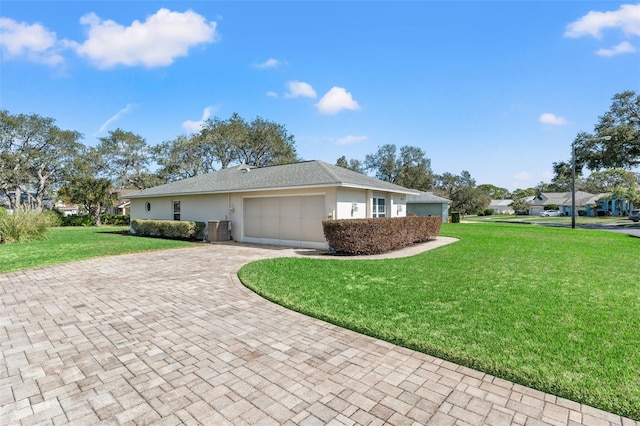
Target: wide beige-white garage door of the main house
[289, 221]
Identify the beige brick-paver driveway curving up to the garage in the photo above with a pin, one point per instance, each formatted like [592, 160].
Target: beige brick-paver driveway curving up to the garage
[171, 337]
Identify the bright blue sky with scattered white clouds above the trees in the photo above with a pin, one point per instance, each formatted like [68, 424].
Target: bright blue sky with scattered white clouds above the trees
[497, 88]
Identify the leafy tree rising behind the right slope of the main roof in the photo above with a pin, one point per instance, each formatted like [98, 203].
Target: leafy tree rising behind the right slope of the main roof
[411, 168]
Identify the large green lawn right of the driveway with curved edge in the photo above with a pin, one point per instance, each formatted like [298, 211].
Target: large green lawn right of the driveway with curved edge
[554, 309]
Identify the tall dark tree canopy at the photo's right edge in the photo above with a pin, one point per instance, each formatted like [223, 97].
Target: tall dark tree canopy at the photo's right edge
[615, 142]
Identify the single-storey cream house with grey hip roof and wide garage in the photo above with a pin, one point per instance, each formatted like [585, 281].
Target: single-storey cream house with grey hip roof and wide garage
[279, 205]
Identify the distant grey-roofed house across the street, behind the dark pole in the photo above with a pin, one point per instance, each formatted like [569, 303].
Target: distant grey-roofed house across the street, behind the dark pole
[589, 203]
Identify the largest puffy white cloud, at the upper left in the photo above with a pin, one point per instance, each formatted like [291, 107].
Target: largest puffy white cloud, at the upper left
[158, 41]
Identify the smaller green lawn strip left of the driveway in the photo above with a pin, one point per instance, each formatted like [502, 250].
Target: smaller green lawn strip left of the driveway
[67, 244]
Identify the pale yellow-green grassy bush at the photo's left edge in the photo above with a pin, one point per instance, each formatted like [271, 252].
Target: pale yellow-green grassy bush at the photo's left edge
[24, 225]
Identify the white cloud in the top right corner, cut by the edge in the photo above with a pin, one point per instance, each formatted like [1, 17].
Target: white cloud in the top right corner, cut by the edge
[626, 18]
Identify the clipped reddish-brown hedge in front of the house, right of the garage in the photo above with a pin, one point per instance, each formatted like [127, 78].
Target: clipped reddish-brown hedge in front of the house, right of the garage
[373, 236]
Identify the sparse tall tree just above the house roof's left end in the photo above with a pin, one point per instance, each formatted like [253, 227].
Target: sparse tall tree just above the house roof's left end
[123, 157]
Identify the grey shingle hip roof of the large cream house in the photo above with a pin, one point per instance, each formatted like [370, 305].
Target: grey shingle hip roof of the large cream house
[296, 175]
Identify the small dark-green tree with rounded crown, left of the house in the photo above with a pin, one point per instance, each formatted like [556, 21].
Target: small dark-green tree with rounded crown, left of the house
[94, 194]
